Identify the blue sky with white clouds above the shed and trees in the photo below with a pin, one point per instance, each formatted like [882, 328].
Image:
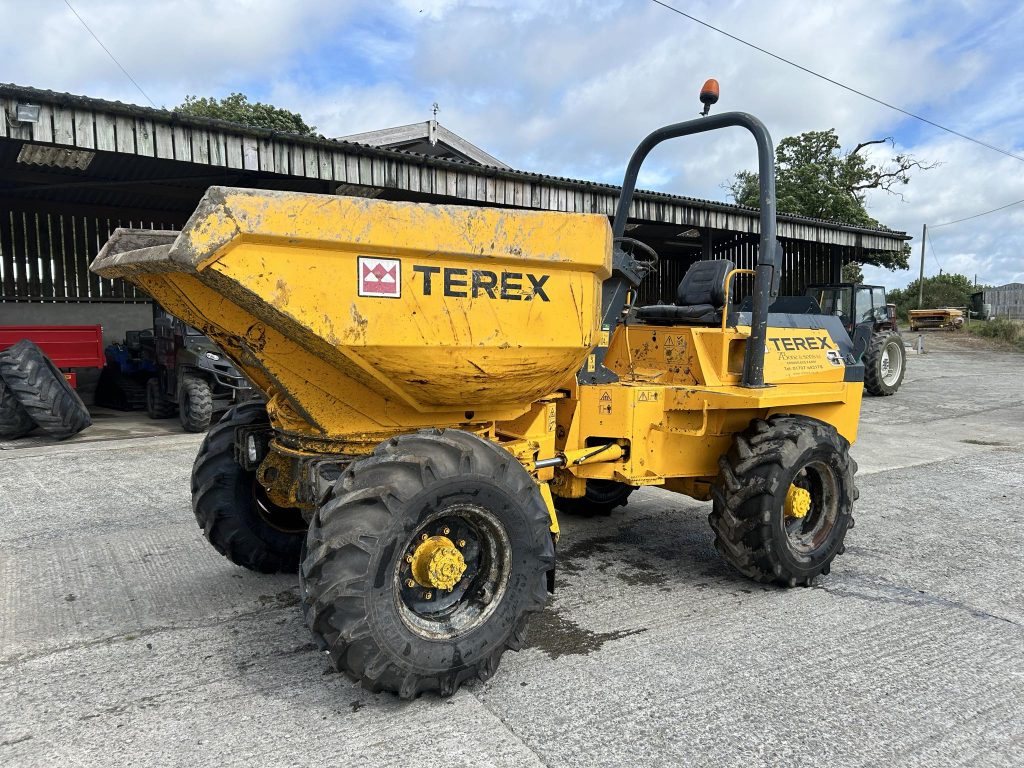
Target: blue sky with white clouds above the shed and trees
[570, 88]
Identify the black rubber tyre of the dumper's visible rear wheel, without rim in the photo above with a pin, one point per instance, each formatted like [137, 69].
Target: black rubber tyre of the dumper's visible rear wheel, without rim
[748, 497]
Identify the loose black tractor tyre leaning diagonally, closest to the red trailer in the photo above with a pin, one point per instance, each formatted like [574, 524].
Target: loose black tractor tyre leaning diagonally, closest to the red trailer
[44, 392]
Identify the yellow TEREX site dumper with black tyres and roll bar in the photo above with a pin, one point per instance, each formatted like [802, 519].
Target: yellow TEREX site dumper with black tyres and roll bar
[440, 380]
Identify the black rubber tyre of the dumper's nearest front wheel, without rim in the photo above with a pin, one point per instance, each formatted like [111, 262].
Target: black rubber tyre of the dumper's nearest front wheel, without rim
[366, 514]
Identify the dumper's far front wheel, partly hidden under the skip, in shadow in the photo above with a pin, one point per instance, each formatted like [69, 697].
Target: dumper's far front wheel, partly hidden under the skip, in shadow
[233, 508]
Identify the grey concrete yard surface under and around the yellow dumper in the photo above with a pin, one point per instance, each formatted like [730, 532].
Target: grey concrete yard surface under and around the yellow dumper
[125, 639]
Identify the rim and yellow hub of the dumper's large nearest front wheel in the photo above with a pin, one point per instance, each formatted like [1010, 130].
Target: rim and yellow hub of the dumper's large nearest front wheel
[439, 613]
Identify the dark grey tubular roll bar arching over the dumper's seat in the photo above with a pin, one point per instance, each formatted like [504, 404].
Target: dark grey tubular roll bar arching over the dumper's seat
[769, 268]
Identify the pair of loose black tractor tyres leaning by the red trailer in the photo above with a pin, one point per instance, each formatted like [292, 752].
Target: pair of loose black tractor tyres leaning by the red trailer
[35, 394]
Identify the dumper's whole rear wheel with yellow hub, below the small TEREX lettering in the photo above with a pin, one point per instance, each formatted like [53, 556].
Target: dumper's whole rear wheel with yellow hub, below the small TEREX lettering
[784, 500]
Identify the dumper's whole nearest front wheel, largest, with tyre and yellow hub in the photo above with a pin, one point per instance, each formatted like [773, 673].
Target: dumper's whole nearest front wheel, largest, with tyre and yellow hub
[425, 562]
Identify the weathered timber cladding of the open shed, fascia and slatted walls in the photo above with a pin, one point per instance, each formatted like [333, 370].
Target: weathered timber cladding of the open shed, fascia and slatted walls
[89, 166]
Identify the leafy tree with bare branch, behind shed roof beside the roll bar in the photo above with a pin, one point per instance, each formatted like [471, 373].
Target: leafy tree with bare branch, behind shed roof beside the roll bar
[815, 178]
